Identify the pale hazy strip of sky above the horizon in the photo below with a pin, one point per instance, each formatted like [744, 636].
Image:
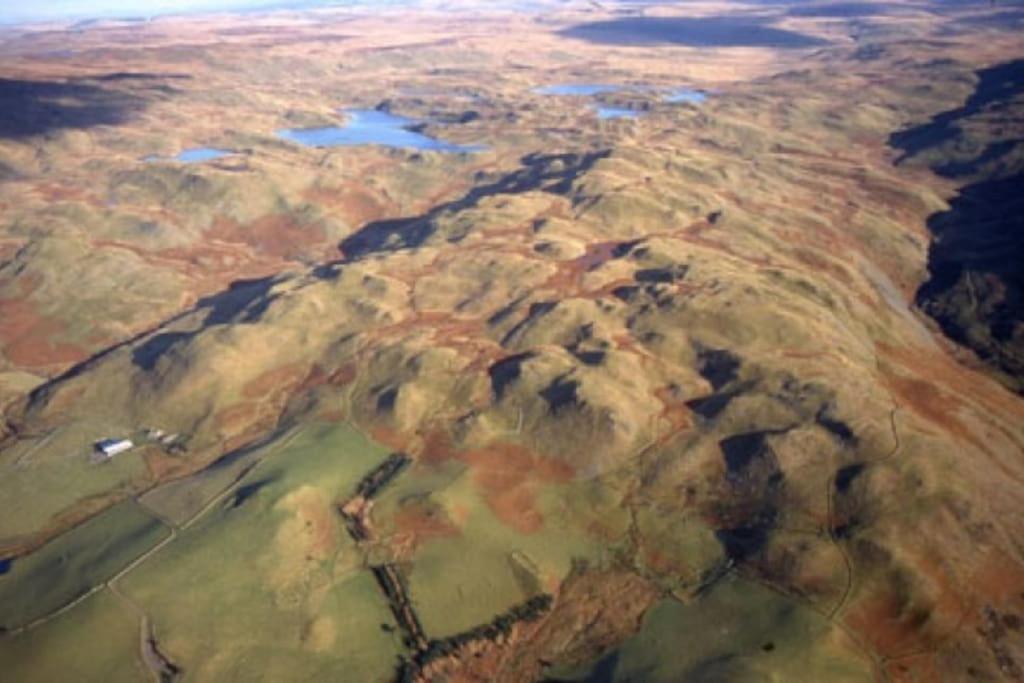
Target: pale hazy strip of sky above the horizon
[13, 12]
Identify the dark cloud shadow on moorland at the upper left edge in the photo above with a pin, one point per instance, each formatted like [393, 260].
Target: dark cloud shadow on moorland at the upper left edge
[36, 108]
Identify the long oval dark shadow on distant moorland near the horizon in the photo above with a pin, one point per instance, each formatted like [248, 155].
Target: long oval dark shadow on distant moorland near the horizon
[693, 32]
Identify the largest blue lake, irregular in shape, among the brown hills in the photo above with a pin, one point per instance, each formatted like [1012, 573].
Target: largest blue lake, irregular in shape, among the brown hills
[372, 127]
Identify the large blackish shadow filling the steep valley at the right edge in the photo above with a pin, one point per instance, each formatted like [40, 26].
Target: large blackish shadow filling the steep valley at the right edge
[975, 291]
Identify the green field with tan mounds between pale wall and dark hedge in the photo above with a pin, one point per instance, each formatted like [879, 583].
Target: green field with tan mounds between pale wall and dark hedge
[268, 586]
